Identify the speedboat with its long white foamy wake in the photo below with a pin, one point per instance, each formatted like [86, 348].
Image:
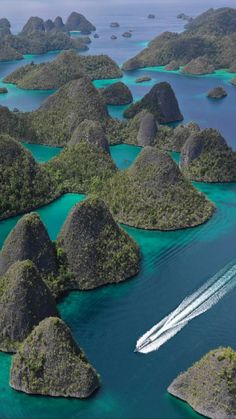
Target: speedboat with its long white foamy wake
[193, 306]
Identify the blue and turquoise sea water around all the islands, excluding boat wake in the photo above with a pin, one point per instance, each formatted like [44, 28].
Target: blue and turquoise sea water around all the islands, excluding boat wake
[107, 322]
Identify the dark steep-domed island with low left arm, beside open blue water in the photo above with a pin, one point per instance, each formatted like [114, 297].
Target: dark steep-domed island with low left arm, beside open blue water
[161, 102]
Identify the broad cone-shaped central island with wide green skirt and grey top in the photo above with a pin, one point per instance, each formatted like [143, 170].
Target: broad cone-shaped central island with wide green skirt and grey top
[153, 194]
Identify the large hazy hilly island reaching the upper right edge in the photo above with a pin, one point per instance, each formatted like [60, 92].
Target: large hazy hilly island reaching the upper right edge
[208, 43]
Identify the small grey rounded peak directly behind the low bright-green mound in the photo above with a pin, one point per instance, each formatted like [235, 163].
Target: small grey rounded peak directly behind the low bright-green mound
[91, 132]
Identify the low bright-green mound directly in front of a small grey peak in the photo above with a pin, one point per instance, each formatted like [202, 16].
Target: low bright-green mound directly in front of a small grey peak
[78, 166]
